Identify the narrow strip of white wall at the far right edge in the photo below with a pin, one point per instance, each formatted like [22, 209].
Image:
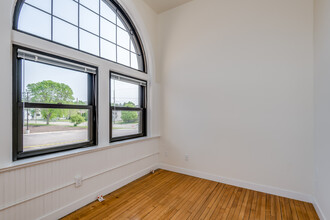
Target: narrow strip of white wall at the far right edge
[322, 103]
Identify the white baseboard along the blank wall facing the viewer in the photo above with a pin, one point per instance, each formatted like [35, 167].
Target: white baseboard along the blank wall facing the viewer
[240, 183]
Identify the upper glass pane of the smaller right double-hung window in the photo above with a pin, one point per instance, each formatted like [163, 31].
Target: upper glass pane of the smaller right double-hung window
[124, 94]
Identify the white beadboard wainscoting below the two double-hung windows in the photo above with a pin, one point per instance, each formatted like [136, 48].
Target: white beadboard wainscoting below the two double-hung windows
[46, 190]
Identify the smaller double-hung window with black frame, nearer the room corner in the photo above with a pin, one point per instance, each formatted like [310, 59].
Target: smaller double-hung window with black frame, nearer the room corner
[128, 108]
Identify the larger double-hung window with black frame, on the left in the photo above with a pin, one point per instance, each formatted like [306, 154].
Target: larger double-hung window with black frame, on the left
[54, 104]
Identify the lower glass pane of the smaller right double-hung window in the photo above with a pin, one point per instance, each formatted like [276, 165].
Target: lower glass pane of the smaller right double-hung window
[126, 123]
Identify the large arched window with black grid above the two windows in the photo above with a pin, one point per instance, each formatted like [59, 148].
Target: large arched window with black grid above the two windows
[98, 27]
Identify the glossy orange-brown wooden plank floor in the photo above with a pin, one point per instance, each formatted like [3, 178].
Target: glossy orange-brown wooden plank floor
[168, 195]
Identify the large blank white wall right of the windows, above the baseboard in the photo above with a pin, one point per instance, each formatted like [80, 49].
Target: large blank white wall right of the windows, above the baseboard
[237, 82]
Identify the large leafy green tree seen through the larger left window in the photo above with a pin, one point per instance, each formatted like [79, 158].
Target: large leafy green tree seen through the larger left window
[52, 93]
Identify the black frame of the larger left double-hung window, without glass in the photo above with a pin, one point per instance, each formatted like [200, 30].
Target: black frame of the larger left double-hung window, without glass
[18, 109]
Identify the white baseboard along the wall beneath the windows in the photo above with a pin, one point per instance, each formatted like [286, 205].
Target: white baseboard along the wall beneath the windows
[92, 196]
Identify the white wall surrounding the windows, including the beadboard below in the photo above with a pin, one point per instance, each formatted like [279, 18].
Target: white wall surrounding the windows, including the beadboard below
[43, 186]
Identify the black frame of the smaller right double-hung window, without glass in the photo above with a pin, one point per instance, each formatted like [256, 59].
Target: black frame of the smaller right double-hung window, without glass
[142, 109]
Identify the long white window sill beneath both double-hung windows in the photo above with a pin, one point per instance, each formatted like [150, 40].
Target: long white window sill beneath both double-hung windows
[67, 154]
